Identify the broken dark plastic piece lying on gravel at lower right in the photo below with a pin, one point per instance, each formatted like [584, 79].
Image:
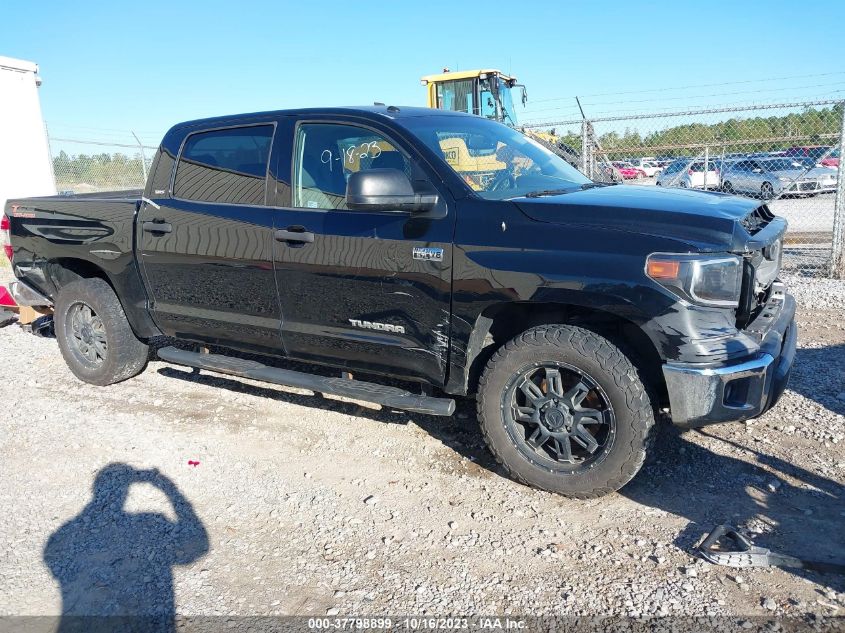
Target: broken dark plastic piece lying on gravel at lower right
[726, 546]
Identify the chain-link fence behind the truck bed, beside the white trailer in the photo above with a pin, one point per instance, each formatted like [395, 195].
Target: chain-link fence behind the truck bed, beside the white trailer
[85, 166]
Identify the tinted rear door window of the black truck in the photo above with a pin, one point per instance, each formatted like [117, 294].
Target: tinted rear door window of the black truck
[227, 166]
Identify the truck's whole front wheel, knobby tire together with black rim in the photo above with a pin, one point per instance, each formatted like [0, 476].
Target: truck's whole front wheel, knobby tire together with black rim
[563, 409]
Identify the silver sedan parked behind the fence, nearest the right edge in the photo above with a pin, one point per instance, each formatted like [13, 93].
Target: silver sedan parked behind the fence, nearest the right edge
[769, 177]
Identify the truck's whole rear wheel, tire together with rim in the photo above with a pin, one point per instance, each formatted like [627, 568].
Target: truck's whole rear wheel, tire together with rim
[94, 335]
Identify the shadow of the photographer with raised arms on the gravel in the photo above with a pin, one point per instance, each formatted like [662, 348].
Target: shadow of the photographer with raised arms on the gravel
[114, 566]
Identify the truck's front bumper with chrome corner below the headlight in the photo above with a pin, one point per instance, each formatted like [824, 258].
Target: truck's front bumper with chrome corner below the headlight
[741, 389]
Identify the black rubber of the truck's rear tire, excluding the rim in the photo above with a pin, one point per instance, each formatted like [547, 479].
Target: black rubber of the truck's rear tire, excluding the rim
[126, 356]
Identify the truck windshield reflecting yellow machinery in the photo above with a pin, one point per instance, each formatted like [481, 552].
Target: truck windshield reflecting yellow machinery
[494, 160]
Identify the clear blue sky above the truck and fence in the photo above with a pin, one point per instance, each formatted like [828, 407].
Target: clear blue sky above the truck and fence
[115, 66]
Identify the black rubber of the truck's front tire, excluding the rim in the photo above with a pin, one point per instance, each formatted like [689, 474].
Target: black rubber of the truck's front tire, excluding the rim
[617, 376]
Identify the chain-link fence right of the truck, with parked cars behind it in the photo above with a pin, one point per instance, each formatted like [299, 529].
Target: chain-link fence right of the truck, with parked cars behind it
[786, 155]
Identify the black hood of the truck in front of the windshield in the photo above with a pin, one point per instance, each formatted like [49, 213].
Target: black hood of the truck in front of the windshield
[707, 220]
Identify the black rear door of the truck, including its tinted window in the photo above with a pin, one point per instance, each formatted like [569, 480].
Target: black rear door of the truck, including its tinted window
[206, 241]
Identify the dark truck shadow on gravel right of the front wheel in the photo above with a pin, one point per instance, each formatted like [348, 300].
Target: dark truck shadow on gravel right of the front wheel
[788, 509]
